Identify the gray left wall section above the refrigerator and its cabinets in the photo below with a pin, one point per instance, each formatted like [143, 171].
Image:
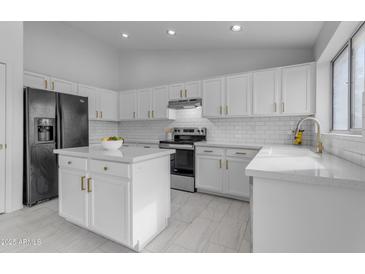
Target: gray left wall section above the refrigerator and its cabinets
[56, 49]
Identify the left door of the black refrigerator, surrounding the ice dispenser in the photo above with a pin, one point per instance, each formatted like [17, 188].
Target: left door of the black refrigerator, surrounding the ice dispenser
[40, 164]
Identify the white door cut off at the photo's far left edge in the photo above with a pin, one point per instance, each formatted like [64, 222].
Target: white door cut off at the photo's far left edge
[2, 136]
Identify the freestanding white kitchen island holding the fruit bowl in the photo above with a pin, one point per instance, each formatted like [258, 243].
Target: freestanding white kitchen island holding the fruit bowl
[123, 195]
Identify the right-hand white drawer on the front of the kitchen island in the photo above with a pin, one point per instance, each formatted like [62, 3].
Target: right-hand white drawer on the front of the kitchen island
[109, 168]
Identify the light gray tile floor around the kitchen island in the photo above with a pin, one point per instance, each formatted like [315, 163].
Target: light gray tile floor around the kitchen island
[198, 223]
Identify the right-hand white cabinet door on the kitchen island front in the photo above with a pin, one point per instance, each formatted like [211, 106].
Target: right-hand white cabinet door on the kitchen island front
[109, 207]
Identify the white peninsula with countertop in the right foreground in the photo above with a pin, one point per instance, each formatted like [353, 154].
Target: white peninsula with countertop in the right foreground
[302, 201]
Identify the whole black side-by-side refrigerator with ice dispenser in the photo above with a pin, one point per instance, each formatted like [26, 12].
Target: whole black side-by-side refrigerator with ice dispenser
[52, 120]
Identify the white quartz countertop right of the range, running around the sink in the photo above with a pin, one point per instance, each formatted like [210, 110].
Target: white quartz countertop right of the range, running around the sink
[299, 164]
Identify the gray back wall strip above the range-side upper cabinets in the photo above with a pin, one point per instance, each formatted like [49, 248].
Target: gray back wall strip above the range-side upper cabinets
[148, 68]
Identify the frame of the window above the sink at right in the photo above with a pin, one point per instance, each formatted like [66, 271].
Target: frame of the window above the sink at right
[348, 44]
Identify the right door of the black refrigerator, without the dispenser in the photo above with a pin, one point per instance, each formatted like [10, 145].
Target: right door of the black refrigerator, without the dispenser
[73, 121]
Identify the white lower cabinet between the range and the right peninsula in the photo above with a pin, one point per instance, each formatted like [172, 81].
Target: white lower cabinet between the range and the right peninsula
[222, 171]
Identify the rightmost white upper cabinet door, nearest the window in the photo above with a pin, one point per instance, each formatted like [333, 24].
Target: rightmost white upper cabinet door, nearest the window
[296, 86]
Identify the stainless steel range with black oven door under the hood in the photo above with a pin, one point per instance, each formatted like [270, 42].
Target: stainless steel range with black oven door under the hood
[183, 161]
